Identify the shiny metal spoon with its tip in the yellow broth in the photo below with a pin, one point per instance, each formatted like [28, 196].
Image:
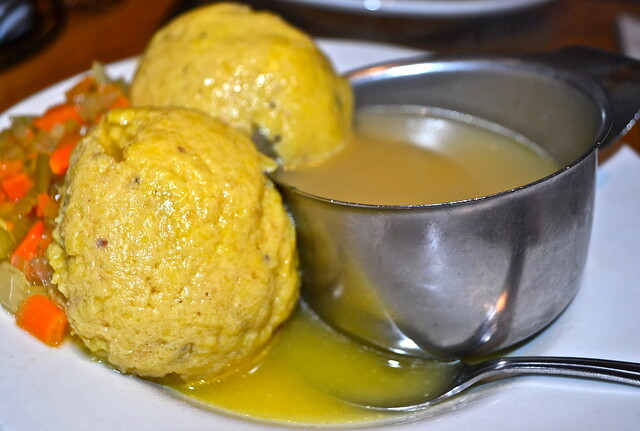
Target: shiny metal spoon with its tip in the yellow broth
[470, 374]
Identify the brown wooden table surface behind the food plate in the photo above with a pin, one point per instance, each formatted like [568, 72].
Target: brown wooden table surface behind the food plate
[123, 29]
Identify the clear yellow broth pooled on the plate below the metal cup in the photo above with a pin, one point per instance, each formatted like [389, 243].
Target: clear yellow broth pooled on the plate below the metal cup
[311, 375]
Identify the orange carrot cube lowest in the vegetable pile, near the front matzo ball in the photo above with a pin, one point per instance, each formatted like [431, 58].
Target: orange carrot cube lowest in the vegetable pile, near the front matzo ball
[43, 319]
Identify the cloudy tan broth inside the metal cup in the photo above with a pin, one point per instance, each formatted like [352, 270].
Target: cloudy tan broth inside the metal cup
[414, 156]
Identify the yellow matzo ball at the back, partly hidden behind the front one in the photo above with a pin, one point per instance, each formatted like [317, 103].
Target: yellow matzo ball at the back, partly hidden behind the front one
[254, 71]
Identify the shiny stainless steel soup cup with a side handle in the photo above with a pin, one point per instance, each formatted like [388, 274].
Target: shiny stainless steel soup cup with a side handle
[474, 276]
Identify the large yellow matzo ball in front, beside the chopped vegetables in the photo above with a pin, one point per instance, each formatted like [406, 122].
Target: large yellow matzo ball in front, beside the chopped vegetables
[172, 248]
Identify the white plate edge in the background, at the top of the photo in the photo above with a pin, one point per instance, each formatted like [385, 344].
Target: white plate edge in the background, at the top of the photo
[422, 8]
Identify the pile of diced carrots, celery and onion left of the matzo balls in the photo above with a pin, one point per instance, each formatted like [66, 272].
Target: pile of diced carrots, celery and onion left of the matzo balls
[34, 157]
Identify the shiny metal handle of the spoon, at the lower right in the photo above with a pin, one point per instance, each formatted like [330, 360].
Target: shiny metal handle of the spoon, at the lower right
[596, 369]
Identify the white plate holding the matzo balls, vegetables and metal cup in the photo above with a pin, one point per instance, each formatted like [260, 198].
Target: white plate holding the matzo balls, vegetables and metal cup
[56, 389]
